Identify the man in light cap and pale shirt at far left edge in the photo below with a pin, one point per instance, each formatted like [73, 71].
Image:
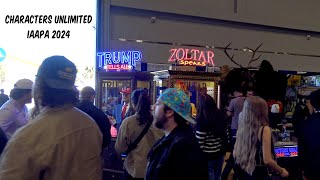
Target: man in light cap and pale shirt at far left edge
[14, 113]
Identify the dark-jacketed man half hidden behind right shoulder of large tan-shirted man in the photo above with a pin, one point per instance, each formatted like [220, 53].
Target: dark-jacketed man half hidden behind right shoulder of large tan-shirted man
[87, 96]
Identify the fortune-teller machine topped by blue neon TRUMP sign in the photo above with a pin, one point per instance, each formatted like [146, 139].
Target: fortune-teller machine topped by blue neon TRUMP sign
[117, 71]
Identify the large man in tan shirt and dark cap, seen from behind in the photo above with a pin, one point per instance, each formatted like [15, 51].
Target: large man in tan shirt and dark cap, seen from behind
[60, 141]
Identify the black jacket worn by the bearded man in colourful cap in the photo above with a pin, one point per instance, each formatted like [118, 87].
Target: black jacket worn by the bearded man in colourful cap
[177, 157]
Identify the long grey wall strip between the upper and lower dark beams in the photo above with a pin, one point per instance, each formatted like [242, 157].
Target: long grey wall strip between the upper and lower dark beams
[129, 26]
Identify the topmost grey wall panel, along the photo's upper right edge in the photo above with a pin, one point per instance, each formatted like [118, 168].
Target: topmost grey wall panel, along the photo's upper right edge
[295, 14]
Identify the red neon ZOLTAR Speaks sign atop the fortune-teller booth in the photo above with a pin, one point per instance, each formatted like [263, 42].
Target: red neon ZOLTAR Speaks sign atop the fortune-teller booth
[191, 57]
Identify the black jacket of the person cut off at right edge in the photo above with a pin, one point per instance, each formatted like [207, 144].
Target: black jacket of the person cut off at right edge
[309, 146]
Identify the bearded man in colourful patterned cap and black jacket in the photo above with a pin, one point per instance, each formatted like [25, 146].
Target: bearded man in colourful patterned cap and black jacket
[177, 155]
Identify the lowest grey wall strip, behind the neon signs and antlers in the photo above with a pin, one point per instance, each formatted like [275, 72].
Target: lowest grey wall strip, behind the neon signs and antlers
[156, 53]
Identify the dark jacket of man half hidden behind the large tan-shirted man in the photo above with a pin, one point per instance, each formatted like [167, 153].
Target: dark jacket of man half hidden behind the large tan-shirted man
[100, 118]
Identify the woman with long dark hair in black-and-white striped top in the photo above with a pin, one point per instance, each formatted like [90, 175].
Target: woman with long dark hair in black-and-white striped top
[211, 132]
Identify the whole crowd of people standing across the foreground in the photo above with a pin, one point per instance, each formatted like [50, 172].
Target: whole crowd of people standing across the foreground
[65, 135]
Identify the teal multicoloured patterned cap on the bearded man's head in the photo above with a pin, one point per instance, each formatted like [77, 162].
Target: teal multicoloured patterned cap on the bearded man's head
[179, 102]
